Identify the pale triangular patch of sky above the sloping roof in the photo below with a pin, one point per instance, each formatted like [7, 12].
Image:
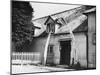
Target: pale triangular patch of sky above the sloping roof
[45, 9]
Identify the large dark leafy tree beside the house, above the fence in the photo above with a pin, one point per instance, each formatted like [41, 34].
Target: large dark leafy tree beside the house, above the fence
[22, 27]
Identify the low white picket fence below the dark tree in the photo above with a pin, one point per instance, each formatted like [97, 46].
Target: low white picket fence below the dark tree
[26, 58]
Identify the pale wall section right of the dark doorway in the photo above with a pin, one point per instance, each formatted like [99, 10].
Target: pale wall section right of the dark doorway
[79, 49]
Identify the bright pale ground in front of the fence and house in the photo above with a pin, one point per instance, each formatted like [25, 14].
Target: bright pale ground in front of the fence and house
[33, 69]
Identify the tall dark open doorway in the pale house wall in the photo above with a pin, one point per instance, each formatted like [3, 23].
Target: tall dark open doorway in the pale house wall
[65, 52]
